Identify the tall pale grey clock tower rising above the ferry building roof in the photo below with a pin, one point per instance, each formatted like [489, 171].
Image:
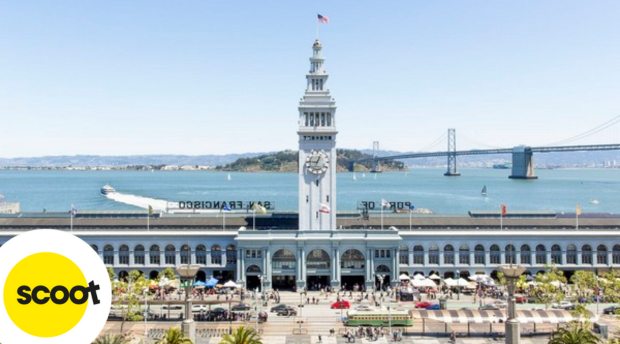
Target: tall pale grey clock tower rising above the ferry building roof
[317, 149]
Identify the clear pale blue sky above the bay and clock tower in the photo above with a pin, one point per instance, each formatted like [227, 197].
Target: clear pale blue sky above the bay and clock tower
[198, 77]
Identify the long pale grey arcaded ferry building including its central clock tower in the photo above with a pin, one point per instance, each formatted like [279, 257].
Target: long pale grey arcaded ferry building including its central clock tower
[320, 247]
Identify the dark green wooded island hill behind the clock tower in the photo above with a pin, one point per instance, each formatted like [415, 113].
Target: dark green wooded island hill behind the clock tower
[287, 161]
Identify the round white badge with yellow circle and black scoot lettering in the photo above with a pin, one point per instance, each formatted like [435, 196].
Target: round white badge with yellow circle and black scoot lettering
[54, 295]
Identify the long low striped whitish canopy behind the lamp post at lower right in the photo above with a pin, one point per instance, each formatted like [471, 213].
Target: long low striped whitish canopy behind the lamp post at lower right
[464, 316]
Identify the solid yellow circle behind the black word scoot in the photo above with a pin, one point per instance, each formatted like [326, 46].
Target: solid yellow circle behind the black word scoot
[46, 294]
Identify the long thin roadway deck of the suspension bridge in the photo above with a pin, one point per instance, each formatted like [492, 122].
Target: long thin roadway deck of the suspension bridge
[496, 151]
